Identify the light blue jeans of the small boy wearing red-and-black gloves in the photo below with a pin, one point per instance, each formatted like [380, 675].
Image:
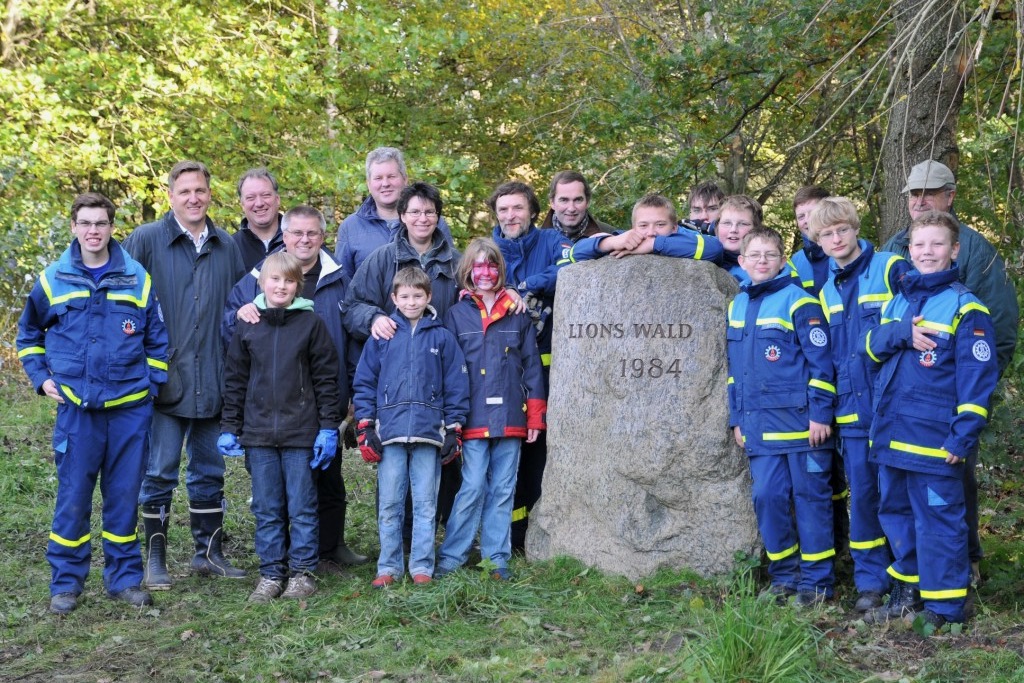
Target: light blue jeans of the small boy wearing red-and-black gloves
[402, 466]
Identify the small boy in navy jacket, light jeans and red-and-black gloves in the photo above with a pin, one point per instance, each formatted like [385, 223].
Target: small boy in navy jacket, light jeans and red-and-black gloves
[411, 396]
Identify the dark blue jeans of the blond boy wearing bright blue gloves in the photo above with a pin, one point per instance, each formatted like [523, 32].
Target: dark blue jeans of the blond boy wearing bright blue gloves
[285, 507]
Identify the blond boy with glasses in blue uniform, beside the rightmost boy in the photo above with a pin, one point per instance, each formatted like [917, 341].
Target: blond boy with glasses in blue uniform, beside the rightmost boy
[862, 282]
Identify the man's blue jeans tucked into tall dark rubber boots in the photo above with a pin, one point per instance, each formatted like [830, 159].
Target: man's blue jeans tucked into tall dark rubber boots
[205, 472]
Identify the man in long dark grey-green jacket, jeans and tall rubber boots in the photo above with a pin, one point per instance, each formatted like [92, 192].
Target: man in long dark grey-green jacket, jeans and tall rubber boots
[194, 266]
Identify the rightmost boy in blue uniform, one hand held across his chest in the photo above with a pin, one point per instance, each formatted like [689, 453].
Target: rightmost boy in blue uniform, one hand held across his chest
[937, 351]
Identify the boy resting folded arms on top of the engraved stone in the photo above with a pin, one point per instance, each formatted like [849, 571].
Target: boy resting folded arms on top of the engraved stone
[654, 232]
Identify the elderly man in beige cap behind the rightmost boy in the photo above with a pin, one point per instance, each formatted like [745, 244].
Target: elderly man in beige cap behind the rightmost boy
[931, 186]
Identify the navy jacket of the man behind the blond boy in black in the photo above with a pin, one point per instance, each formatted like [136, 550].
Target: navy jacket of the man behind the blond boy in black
[328, 303]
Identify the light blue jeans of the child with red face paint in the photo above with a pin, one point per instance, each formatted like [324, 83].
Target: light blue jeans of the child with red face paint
[489, 475]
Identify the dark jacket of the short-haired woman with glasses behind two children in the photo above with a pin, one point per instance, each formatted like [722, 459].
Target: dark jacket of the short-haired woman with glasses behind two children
[370, 292]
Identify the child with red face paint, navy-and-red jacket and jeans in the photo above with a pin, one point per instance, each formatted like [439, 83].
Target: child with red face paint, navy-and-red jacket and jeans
[508, 404]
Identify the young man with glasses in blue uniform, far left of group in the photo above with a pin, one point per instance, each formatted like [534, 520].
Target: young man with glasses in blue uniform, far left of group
[92, 339]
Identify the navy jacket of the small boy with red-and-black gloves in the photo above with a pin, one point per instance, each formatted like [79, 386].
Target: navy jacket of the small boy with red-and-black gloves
[415, 385]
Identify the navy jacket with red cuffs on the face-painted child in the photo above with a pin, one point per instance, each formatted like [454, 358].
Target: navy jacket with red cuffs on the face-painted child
[507, 391]
